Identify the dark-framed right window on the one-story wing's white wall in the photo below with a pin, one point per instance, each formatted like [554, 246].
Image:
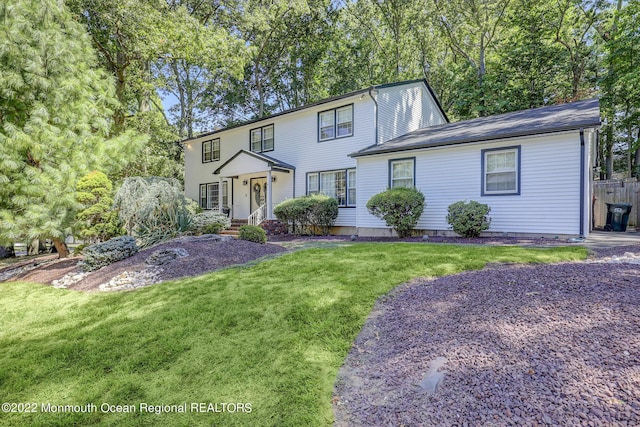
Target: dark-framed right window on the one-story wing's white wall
[501, 171]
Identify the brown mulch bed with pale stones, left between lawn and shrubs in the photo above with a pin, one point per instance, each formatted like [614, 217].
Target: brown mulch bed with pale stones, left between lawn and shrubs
[205, 255]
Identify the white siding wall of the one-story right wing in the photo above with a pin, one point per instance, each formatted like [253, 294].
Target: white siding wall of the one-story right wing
[549, 200]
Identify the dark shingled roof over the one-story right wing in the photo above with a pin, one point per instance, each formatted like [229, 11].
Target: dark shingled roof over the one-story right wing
[555, 118]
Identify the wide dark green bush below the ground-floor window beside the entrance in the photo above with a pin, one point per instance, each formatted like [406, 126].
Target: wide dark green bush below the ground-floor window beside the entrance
[314, 214]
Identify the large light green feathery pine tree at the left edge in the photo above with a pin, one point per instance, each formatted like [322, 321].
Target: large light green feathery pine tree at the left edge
[54, 110]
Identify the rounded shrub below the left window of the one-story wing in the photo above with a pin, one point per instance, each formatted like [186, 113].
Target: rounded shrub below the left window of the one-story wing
[400, 208]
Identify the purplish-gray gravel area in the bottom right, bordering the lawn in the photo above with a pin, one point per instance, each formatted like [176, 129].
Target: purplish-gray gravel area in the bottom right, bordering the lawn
[524, 345]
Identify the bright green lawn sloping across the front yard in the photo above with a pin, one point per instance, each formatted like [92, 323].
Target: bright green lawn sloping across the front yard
[272, 335]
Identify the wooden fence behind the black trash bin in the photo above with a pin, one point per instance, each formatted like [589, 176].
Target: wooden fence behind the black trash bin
[616, 192]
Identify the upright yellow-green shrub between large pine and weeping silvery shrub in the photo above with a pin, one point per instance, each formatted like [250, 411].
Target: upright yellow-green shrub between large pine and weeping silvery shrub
[98, 221]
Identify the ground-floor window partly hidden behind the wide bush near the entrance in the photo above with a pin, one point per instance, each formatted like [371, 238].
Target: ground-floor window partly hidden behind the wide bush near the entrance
[340, 184]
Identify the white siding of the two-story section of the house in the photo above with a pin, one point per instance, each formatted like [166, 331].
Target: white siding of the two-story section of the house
[298, 133]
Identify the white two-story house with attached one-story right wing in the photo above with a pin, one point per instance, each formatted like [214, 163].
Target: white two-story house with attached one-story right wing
[533, 167]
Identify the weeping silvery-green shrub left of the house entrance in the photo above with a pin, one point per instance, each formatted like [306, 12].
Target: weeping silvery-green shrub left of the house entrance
[154, 209]
